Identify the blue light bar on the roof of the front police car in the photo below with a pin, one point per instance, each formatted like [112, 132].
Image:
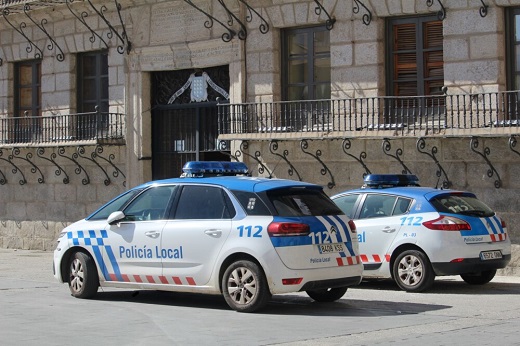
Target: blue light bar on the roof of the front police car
[213, 168]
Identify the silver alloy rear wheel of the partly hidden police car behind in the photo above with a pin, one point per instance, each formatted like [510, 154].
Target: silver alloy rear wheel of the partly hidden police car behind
[412, 271]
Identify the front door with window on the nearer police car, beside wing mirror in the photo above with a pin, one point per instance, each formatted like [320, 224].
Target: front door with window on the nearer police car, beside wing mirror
[133, 252]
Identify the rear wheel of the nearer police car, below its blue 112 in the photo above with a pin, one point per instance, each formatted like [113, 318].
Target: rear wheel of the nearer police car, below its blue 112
[245, 287]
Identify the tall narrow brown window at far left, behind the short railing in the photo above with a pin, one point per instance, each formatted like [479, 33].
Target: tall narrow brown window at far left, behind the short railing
[27, 102]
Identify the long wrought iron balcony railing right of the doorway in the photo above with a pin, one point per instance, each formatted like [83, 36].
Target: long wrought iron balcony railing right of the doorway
[434, 114]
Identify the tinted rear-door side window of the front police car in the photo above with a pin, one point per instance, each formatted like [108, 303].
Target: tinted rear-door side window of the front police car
[204, 202]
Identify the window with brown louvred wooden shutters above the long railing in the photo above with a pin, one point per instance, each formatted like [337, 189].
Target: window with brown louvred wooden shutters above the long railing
[415, 53]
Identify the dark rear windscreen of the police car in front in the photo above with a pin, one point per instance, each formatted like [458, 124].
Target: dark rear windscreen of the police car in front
[302, 202]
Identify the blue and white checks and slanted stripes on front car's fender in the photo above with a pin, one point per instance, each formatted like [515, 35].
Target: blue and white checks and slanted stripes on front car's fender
[95, 240]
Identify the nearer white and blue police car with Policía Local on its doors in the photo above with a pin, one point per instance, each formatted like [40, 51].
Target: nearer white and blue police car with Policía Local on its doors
[246, 238]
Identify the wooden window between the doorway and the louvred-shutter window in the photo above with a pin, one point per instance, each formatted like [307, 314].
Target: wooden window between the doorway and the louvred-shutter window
[306, 63]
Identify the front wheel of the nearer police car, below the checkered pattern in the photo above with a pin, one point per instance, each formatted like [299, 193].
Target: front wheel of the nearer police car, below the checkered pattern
[83, 278]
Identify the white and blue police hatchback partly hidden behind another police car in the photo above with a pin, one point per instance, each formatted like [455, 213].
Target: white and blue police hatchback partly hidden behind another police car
[412, 233]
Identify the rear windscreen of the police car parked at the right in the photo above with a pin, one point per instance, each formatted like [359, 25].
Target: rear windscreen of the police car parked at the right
[461, 204]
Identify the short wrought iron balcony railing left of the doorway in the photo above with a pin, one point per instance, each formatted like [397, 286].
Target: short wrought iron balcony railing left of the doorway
[58, 129]
